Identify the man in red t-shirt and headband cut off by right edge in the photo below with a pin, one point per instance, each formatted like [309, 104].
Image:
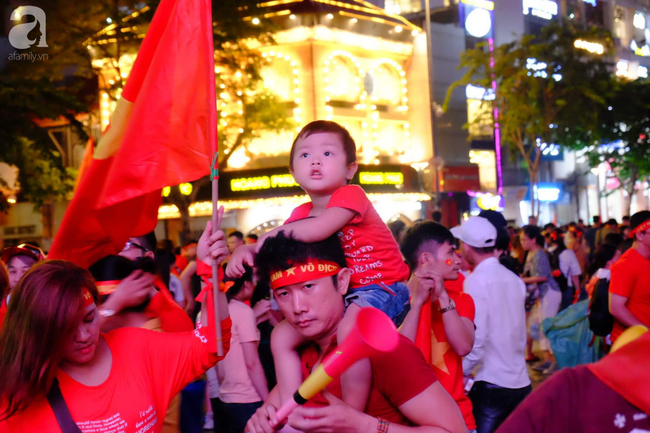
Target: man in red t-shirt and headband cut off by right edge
[629, 288]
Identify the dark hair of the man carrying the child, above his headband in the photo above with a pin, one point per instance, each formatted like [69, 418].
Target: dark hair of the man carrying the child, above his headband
[282, 252]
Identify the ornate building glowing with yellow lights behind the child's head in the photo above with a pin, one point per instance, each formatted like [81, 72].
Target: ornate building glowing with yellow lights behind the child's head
[346, 61]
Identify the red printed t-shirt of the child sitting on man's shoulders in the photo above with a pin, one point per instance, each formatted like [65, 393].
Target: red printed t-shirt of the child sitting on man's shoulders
[370, 249]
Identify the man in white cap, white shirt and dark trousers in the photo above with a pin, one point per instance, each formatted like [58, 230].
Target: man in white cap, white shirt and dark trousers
[498, 355]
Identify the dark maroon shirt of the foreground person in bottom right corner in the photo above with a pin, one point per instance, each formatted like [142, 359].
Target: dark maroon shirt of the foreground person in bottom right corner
[575, 400]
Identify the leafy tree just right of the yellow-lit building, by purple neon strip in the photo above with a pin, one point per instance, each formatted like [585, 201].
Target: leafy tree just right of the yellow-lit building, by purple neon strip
[544, 85]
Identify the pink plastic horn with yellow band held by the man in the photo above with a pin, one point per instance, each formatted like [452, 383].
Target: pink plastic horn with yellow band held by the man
[372, 333]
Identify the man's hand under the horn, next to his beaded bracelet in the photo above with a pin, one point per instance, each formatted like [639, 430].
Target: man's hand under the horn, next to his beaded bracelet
[338, 417]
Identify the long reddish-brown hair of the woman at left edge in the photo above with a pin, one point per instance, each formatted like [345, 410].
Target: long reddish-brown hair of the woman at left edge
[45, 307]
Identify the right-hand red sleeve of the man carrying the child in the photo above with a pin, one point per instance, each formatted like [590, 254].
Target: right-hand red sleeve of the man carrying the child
[413, 376]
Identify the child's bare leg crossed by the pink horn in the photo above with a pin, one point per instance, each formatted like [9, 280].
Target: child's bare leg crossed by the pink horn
[356, 381]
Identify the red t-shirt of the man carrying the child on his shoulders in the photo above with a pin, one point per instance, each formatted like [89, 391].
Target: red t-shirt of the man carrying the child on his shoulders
[397, 377]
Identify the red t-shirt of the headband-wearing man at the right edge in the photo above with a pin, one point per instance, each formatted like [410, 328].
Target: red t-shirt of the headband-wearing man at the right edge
[631, 279]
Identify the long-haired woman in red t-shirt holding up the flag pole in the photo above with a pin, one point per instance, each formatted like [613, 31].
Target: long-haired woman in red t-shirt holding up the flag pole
[120, 381]
